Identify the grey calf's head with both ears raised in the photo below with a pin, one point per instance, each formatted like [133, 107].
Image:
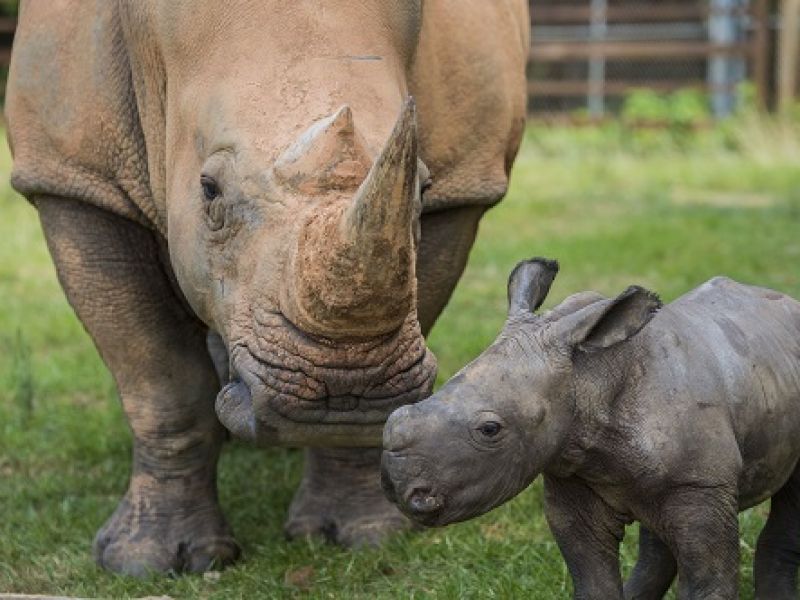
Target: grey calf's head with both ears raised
[508, 415]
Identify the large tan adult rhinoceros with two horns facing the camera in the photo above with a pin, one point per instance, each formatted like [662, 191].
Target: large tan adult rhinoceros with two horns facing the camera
[250, 180]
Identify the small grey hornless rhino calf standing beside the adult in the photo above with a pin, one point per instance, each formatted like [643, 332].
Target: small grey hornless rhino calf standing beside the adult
[677, 418]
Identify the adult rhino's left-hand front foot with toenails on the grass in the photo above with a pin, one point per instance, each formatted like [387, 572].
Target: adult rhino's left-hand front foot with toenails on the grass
[144, 537]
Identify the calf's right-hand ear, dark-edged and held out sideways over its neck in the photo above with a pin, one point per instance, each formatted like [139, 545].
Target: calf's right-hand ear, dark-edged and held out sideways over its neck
[604, 324]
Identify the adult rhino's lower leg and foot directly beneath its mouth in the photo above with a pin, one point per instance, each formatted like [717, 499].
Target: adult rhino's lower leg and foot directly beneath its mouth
[340, 499]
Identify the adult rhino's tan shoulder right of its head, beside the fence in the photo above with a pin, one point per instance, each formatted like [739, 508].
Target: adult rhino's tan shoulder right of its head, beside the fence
[469, 81]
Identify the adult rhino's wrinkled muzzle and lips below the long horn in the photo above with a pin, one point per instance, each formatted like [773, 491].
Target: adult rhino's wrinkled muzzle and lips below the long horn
[282, 376]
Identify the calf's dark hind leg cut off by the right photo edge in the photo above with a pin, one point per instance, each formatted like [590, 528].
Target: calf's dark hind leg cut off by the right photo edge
[778, 549]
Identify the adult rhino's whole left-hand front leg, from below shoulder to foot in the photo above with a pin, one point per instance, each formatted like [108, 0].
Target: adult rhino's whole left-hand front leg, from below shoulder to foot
[114, 275]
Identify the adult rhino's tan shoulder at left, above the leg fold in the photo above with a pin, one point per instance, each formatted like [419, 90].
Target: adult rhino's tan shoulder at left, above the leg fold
[71, 110]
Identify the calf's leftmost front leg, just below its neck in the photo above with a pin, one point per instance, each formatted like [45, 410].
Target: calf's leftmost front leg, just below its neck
[588, 532]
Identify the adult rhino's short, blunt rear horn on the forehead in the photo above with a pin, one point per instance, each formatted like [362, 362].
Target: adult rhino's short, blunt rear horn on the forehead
[329, 155]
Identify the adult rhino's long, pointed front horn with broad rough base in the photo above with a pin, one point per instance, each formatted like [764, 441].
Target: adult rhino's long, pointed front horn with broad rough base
[354, 269]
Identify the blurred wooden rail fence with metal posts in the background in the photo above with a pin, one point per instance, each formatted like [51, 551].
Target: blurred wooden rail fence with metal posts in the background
[605, 33]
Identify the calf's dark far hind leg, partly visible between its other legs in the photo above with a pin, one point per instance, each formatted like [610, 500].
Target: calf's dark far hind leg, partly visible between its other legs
[654, 571]
